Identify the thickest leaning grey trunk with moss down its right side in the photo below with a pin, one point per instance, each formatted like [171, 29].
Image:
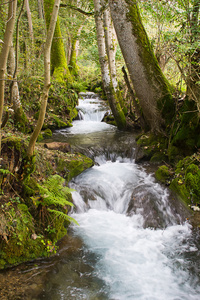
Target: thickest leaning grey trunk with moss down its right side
[148, 80]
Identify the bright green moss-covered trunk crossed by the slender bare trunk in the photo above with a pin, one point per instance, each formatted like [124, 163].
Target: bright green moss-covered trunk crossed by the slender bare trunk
[59, 67]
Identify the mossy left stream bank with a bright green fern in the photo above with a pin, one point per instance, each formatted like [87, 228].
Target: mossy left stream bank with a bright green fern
[35, 199]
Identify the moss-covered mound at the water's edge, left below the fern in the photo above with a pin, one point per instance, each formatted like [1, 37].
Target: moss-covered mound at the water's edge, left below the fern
[17, 244]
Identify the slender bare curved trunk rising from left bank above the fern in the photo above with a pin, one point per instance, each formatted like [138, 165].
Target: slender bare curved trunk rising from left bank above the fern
[47, 82]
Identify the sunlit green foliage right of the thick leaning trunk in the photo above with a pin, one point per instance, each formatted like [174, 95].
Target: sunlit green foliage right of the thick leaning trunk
[173, 27]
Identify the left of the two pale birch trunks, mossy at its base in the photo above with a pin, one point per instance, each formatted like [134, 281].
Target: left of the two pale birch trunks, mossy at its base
[107, 83]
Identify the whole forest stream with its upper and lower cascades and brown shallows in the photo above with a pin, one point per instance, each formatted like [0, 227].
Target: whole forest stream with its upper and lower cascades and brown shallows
[133, 240]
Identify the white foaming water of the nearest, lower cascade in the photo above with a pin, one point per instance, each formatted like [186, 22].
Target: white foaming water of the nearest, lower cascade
[134, 262]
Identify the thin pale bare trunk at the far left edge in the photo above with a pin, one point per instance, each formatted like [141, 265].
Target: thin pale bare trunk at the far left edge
[4, 54]
